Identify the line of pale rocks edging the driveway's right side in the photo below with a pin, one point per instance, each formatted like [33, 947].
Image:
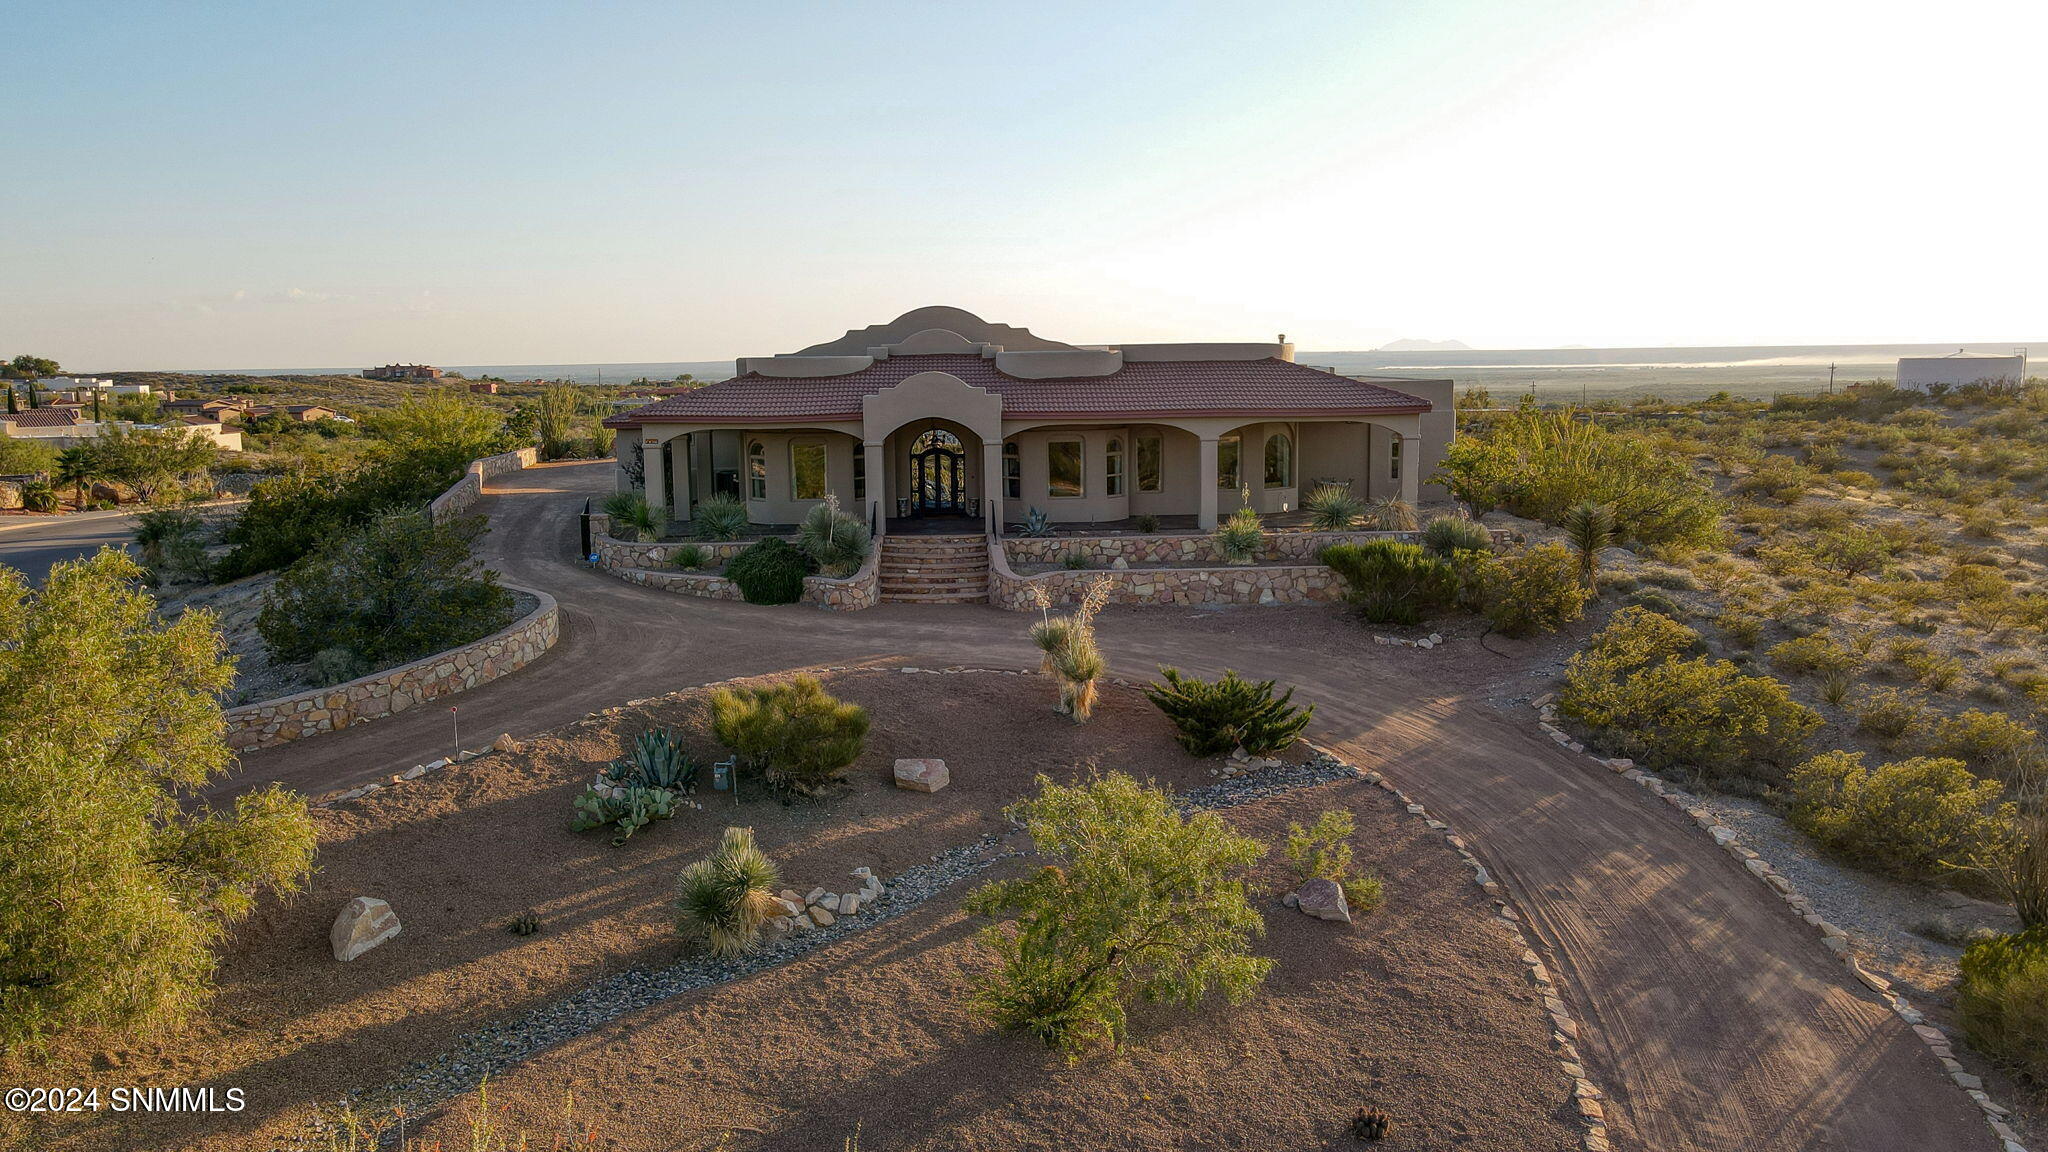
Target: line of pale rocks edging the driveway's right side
[1832, 938]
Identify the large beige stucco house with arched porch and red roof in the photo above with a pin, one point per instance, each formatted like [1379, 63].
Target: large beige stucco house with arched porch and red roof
[941, 413]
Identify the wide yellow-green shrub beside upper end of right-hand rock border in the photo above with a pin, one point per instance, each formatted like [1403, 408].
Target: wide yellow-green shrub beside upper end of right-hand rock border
[1644, 700]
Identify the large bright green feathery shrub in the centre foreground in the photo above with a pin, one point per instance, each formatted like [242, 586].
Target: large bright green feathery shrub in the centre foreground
[1138, 903]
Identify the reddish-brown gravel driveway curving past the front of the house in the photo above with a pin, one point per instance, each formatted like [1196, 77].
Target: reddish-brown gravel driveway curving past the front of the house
[1711, 1014]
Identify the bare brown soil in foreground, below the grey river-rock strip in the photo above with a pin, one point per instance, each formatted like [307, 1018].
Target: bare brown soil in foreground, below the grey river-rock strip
[1418, 1012]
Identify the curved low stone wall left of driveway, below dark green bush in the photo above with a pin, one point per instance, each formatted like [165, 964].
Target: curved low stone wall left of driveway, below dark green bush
[398, 690]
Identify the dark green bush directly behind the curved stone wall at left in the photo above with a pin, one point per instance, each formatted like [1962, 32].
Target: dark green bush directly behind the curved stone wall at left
[398, 589]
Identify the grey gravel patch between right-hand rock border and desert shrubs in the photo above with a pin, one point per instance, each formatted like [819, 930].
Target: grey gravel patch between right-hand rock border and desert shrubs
[1881, 915]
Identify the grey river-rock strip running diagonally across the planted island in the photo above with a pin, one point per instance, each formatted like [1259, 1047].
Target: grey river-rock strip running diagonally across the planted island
[497, 1048]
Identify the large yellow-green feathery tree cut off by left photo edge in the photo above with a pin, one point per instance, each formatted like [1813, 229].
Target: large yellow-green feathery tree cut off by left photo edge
[114, 887]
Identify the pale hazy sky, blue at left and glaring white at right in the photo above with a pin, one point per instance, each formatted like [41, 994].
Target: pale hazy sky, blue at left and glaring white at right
[321, 183]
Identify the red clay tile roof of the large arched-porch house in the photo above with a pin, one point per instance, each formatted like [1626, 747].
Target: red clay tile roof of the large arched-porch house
[1138, 390]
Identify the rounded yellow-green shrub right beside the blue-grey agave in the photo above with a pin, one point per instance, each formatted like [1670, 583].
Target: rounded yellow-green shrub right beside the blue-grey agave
[796, 735]
